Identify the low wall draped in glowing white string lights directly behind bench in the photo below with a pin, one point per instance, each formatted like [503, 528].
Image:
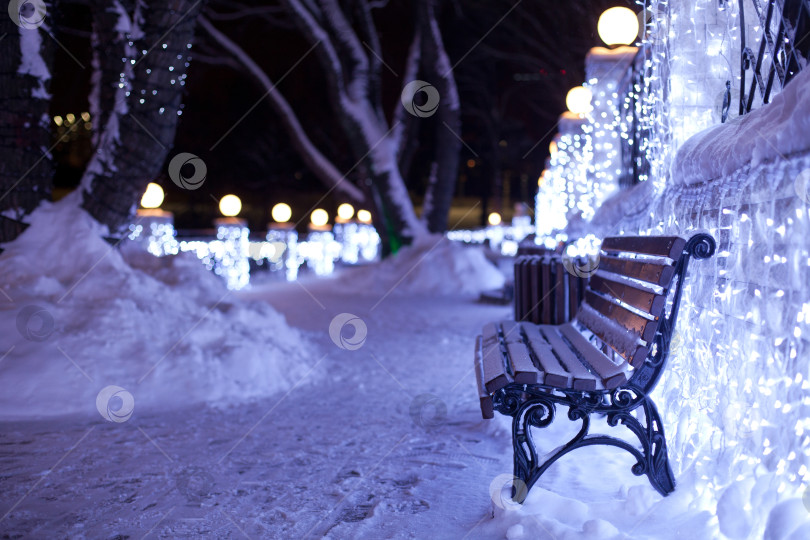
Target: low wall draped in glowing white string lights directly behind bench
[735, 398]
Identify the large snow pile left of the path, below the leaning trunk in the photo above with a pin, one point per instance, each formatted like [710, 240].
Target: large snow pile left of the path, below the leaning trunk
[78, 317]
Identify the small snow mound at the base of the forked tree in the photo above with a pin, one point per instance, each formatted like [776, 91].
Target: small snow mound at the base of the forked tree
[433, 265]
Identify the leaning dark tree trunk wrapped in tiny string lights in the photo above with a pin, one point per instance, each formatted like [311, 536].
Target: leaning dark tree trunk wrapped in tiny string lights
[140, 130]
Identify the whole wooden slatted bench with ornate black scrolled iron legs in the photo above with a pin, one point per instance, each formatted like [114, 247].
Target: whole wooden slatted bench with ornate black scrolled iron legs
[606, 361]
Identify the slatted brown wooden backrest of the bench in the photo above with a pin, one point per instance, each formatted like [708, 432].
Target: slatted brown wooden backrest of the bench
[625, 303]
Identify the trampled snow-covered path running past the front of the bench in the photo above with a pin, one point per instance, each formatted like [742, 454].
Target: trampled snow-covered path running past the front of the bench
[345, 453]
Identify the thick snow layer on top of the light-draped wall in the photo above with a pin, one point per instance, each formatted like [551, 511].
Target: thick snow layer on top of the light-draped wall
[773, 132]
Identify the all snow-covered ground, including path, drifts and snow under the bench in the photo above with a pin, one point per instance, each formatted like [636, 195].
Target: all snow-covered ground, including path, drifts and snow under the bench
[339, 408]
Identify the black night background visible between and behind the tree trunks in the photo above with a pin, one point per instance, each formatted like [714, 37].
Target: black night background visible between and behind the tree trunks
[512, 86]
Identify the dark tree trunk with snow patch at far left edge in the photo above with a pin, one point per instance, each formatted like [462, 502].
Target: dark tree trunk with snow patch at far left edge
[26, 170]
